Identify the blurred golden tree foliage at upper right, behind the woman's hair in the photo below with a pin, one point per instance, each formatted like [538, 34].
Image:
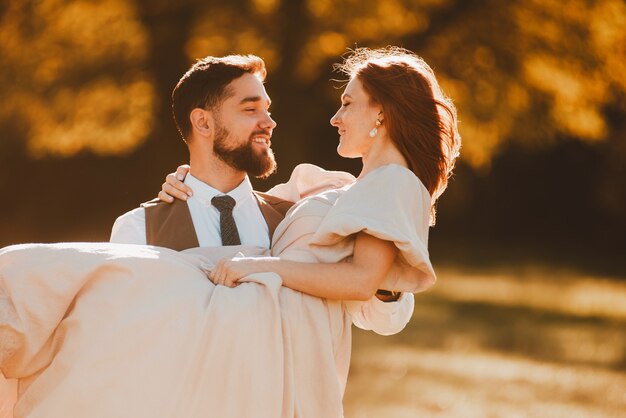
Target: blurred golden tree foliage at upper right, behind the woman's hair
[530, 71]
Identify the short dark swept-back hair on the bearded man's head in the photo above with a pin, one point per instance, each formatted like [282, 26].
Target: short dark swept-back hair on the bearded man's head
[205, 85]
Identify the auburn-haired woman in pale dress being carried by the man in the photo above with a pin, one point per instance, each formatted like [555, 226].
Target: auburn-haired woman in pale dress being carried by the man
[104, 330]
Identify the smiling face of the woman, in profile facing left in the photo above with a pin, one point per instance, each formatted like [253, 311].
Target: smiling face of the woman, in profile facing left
[355, 119]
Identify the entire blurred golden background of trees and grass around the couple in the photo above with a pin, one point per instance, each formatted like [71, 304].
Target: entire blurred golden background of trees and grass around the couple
[530, 243]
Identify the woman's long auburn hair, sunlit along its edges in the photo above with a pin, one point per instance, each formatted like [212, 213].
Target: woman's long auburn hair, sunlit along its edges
[420, 120]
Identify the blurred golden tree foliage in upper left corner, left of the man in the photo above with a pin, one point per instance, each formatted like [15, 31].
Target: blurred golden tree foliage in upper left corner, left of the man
[73, 75]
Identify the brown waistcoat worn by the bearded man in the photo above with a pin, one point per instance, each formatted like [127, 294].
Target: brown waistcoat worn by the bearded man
[170, 225]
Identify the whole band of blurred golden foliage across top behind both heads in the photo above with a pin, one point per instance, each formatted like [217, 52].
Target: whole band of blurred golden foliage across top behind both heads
[525, 71]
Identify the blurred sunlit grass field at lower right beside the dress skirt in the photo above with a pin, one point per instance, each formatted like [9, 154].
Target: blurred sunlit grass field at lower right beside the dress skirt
[529, 342]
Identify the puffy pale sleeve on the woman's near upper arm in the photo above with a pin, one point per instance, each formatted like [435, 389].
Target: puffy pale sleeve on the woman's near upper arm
[389, 203]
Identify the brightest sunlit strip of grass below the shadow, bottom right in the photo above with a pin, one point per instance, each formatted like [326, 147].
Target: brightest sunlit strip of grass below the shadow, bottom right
[476, 385]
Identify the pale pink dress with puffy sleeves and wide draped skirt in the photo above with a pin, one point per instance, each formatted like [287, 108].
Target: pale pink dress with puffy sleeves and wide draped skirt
[112, 330]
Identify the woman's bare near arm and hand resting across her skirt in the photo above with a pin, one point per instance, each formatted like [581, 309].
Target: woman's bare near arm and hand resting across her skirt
[355, 280]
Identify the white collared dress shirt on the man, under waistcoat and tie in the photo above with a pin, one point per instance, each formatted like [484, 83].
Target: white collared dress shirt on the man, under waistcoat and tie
[130, 228]
